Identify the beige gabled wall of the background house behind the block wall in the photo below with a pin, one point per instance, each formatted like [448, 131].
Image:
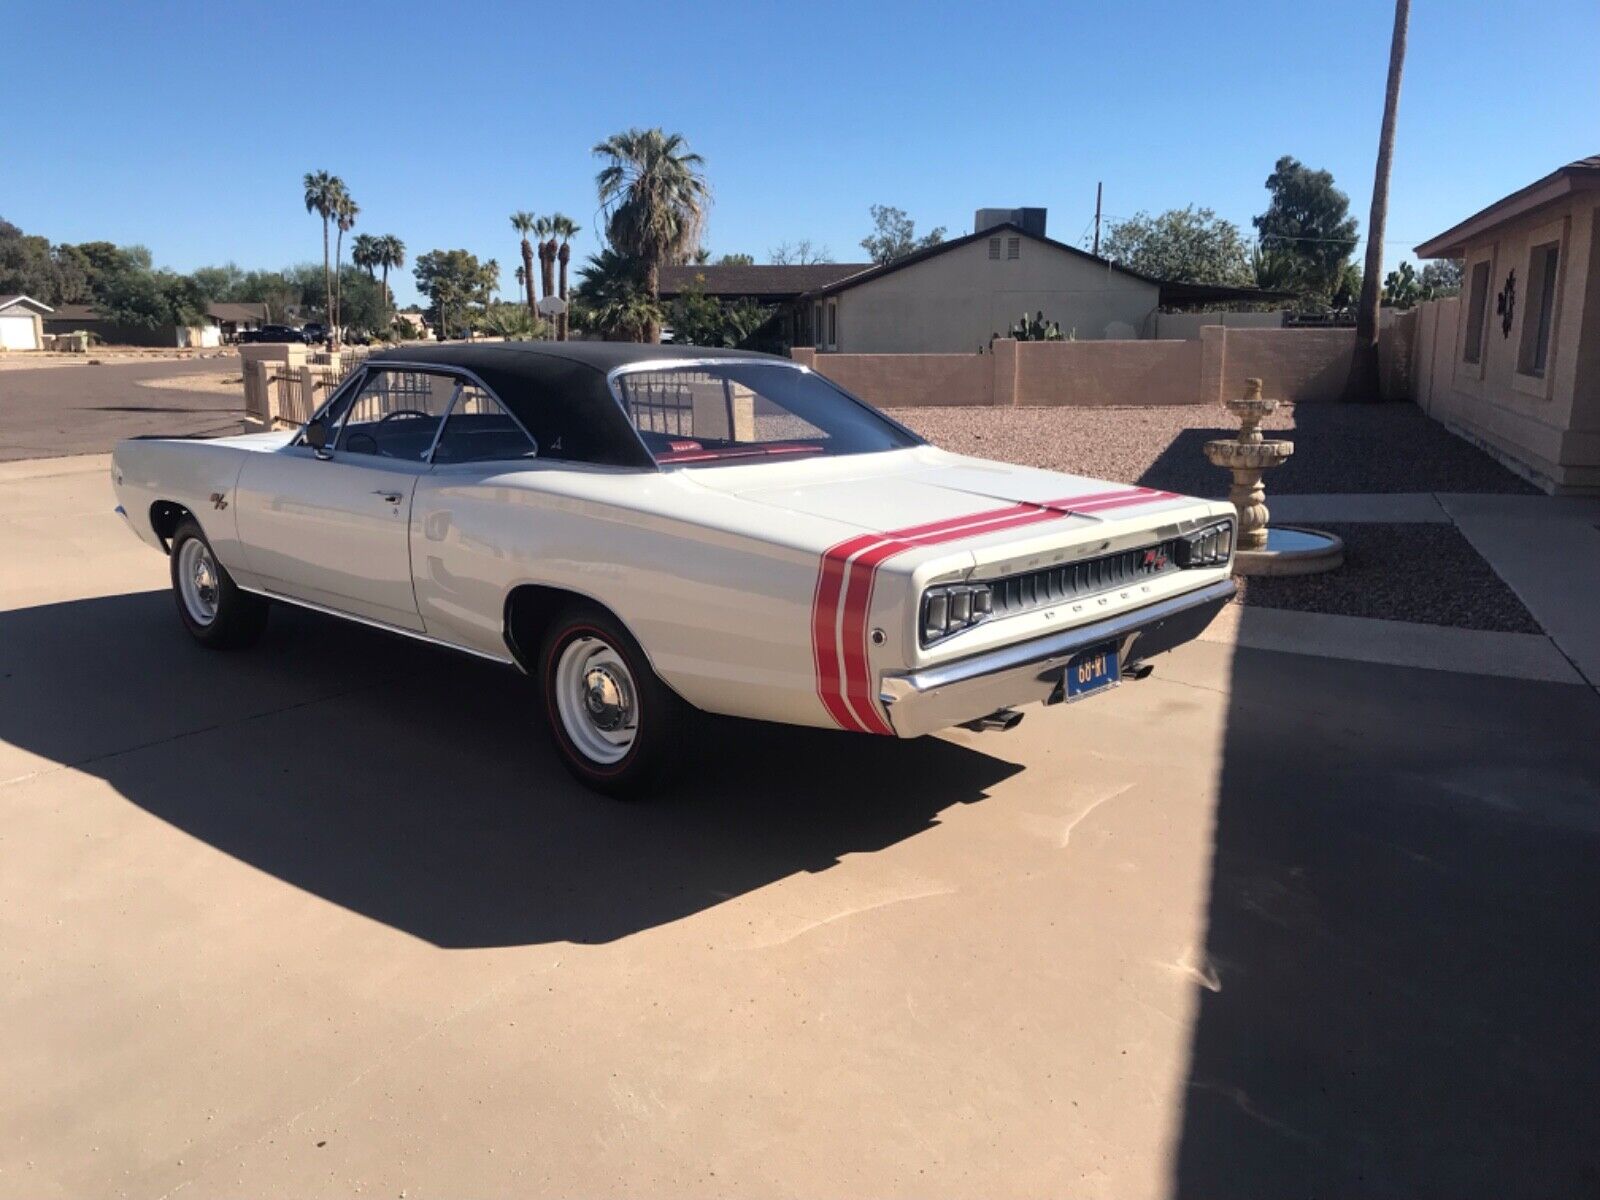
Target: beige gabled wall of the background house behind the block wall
[962, 297]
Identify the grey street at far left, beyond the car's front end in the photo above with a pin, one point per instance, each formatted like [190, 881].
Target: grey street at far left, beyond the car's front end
[86, 410]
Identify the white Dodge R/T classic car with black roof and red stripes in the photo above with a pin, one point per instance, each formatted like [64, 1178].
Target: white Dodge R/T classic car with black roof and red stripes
[655, 530]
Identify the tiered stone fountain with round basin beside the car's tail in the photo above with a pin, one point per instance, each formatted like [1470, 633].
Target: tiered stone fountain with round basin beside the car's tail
[1262, 548]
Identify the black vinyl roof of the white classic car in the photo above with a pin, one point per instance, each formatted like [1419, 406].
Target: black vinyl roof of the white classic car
[559, 390]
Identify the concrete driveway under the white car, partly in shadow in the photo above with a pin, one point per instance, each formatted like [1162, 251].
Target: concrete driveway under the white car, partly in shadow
[327, 918]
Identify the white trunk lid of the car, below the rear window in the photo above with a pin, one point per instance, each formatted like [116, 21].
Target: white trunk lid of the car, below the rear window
[908, 490]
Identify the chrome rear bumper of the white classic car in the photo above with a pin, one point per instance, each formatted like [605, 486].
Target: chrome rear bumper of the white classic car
[937, 698]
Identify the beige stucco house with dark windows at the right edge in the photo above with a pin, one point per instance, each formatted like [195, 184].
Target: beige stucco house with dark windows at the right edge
[1514, 362]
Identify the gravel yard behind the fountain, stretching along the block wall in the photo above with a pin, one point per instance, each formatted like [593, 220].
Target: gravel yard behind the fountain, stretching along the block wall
[1388, 447]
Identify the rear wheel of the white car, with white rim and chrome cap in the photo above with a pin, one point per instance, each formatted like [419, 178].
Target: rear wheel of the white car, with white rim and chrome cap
[615, 724]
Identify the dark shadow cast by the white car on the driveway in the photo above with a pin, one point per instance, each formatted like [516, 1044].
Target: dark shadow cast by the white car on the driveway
[415, 786]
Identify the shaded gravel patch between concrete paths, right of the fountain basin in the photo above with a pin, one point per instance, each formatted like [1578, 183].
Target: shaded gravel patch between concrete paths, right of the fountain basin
[1426, 574]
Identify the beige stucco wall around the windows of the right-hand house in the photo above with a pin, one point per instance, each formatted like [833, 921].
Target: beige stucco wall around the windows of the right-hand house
[1548, 428]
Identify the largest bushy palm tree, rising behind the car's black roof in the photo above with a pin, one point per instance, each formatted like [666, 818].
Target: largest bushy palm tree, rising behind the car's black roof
[655, 201]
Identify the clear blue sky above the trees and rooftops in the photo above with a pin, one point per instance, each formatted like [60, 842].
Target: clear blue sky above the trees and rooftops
[188, 127]
